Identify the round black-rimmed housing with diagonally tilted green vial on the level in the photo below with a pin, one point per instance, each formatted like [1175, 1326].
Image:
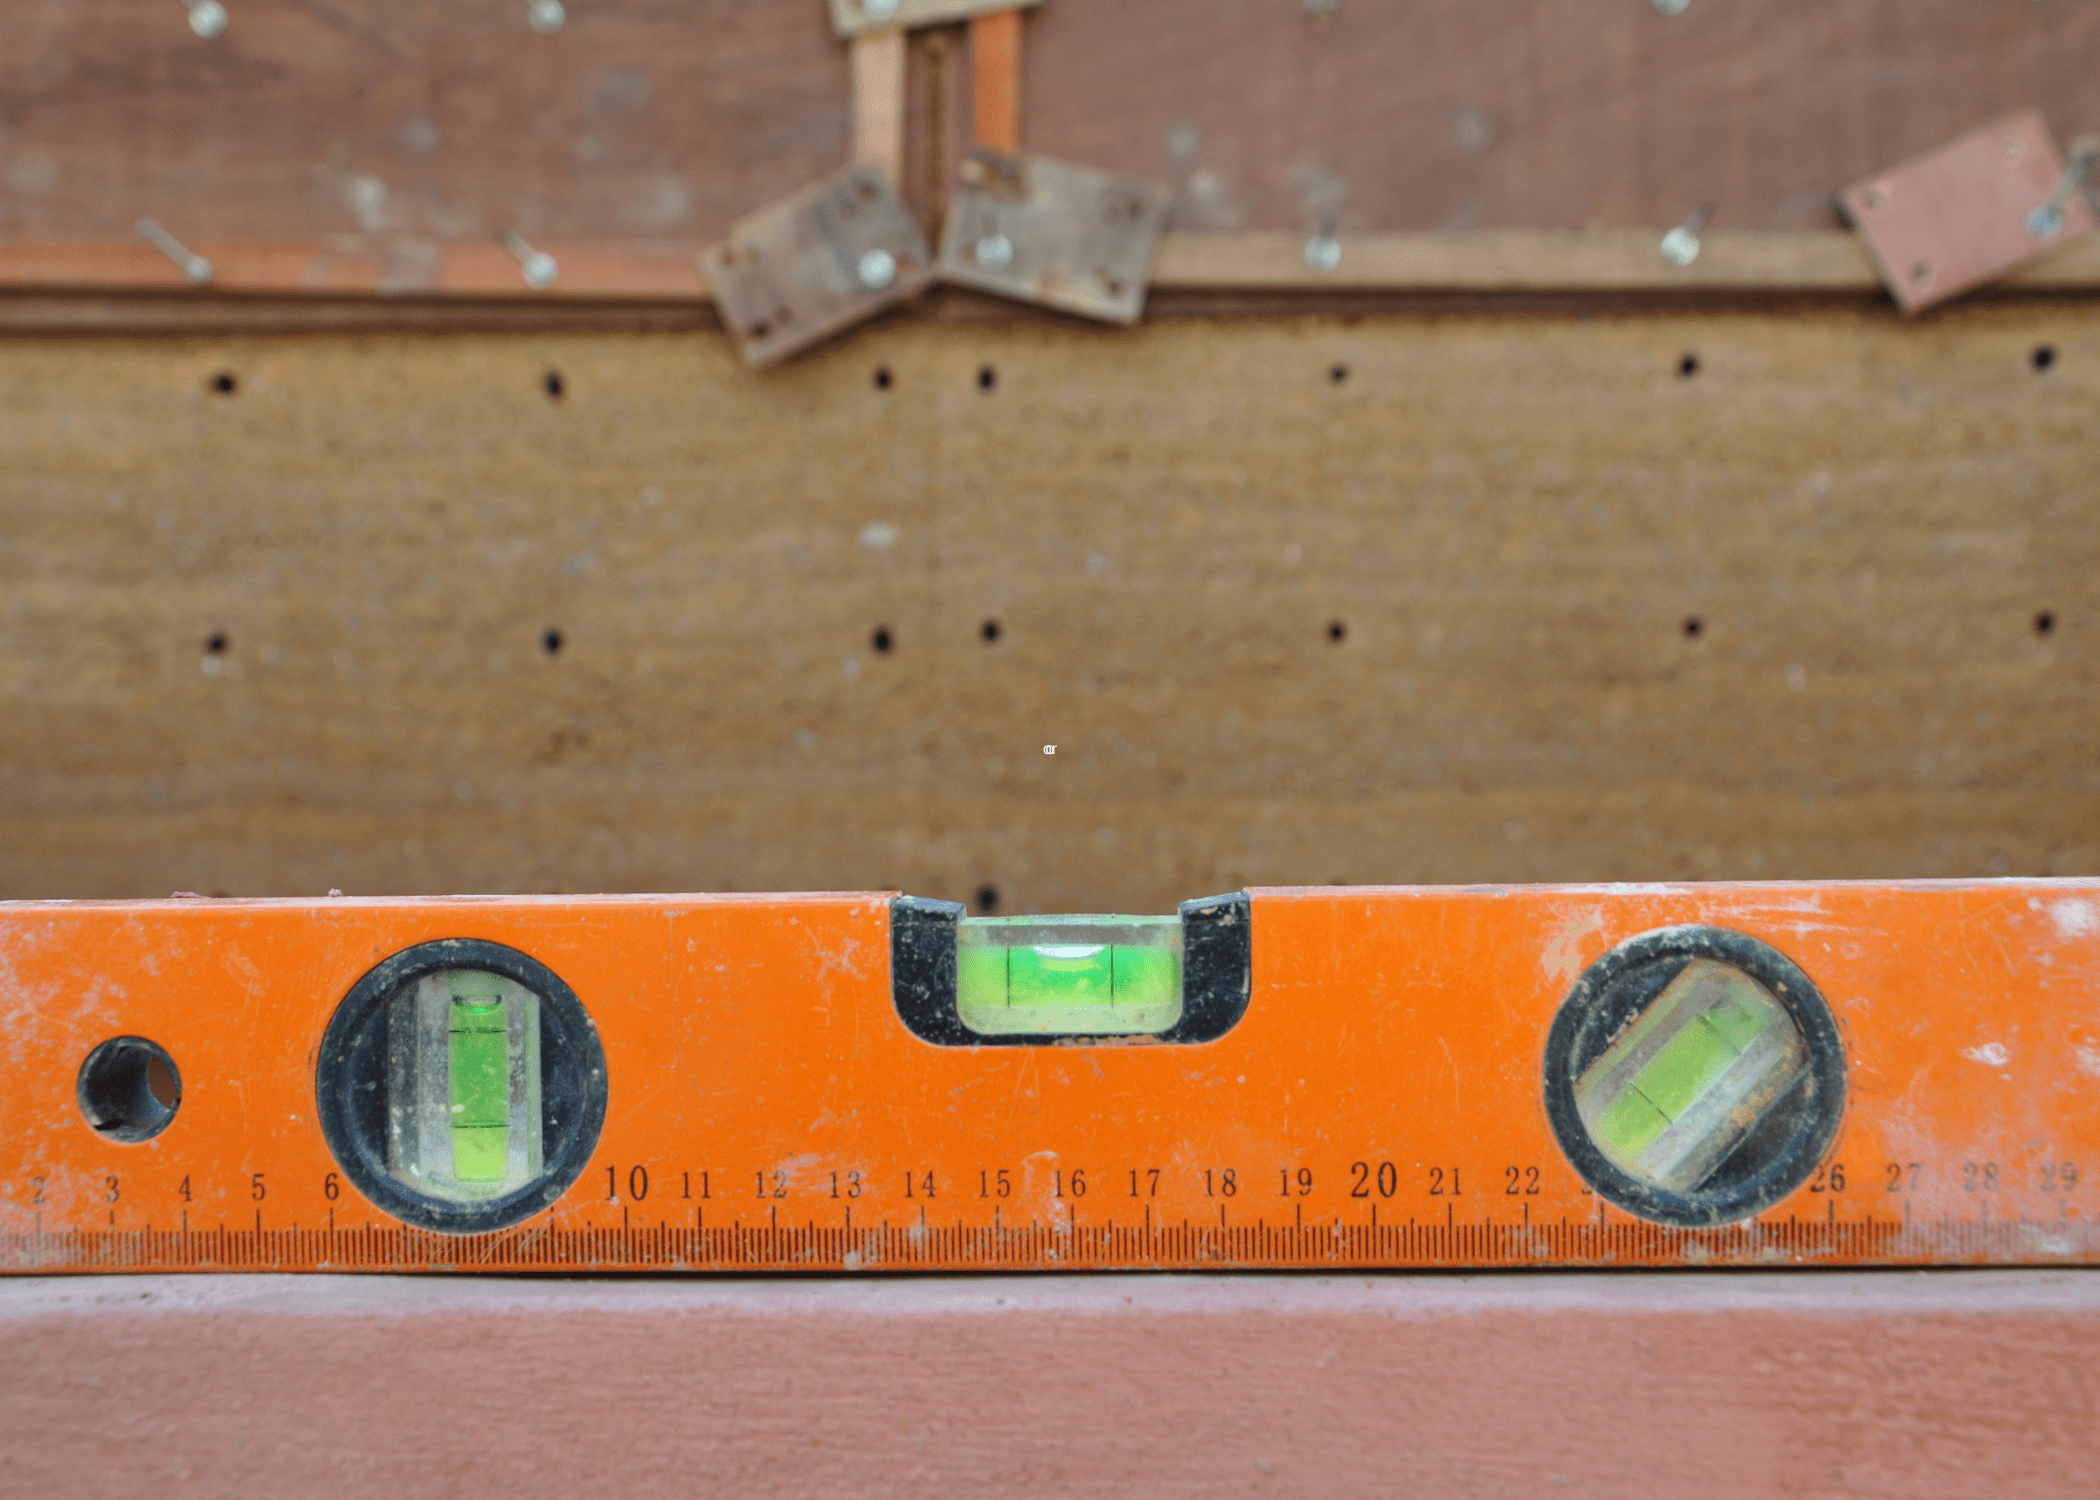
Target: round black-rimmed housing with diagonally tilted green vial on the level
[1694, 1077]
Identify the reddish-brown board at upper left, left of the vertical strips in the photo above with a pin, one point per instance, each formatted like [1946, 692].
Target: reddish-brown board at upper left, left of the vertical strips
[434, 123]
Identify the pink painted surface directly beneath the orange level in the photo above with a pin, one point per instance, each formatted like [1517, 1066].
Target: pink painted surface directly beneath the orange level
[1950, 1383]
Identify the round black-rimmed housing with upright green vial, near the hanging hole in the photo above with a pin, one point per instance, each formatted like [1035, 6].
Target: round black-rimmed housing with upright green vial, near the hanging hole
[461, 1087]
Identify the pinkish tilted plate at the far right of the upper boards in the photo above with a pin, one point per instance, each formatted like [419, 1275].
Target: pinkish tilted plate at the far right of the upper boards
[1958, 217]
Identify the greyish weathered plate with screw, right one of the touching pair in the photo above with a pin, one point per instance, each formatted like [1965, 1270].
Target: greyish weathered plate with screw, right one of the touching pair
[1049, 232]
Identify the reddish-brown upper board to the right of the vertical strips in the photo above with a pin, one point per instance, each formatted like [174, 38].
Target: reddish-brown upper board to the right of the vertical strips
[1547, 114]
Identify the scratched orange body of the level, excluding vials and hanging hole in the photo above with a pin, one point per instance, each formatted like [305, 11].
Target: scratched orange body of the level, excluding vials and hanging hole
[1379, 1106]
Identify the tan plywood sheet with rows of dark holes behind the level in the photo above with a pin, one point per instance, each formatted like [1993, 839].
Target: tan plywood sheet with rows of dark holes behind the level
[1885, 535]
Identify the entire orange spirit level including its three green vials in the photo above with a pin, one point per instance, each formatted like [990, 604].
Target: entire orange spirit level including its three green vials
[1731, 1075]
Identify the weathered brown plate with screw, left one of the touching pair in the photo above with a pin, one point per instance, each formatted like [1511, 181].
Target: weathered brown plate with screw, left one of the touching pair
[826, 259]
